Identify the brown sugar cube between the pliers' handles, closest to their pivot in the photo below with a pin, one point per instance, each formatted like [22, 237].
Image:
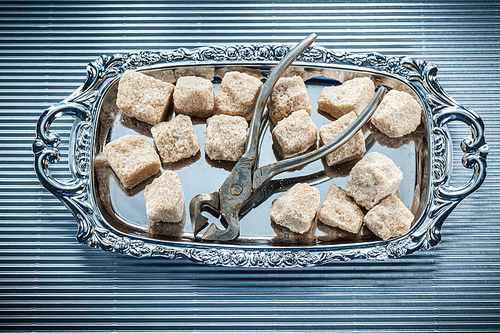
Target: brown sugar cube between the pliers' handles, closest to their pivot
[295, 134]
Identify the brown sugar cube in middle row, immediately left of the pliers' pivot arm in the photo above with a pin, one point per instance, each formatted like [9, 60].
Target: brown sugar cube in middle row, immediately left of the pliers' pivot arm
[225, 137]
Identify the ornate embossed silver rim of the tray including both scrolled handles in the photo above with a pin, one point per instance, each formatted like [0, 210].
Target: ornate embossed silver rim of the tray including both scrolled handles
[77, 195]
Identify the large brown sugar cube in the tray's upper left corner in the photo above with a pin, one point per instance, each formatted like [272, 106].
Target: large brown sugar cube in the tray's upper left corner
[143, 97]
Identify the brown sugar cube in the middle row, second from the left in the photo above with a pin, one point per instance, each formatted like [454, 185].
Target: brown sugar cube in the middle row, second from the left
[175, 139]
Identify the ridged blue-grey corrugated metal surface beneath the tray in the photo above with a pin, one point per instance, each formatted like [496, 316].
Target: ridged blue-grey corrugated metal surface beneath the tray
[48, 282]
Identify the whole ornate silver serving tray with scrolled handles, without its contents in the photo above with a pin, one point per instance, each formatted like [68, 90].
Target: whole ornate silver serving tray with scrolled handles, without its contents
[112, 219]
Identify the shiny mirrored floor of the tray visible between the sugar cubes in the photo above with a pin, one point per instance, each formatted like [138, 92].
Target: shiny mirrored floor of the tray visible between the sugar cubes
[125, 210]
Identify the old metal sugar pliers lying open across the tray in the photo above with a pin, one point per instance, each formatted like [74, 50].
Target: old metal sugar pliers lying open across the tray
[246, 187]
